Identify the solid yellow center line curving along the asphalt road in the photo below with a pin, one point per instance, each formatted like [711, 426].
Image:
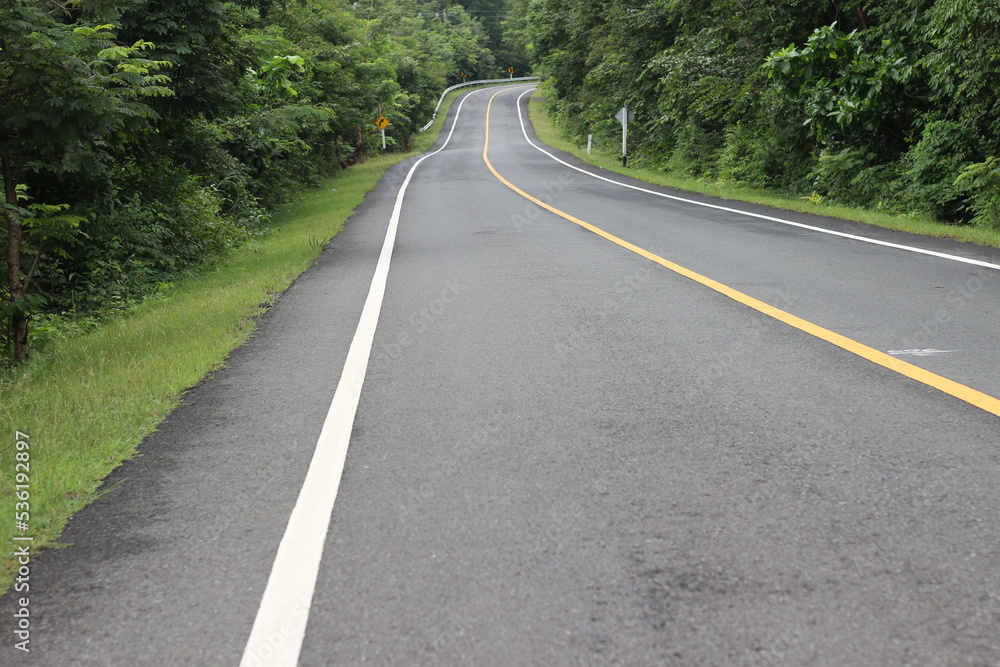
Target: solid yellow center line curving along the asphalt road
[972, 396]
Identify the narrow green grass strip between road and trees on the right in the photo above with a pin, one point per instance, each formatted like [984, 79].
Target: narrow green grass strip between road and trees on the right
[926, 226]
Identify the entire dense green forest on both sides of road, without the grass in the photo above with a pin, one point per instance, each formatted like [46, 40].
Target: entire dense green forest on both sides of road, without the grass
[138, 139]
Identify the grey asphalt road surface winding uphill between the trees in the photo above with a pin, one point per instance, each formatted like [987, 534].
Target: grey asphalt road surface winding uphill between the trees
[565, 453]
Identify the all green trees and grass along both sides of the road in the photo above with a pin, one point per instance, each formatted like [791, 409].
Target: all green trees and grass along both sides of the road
[146, 149]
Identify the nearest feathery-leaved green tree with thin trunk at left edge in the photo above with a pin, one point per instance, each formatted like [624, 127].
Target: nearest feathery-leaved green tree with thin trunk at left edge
[68, 92]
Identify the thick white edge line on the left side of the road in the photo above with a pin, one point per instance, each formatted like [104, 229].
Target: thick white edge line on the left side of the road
[280, 624]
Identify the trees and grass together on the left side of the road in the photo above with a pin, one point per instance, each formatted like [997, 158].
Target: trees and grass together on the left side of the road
[167, 171]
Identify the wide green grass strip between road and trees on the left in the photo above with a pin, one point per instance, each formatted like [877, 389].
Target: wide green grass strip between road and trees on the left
[87, 402]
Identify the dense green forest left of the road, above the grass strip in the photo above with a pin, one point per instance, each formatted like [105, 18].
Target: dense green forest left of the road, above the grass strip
[139, 139]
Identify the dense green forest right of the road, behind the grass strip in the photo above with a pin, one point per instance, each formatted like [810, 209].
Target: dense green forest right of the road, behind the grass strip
[891, 105]
